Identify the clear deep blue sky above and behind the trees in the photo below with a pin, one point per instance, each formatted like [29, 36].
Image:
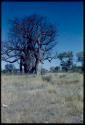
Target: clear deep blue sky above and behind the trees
[67, 16]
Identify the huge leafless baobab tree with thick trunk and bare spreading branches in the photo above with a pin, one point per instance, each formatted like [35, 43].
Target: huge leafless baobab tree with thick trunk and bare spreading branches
[31, 40]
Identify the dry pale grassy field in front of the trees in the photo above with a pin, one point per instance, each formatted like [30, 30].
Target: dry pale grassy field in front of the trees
[51, 98]
